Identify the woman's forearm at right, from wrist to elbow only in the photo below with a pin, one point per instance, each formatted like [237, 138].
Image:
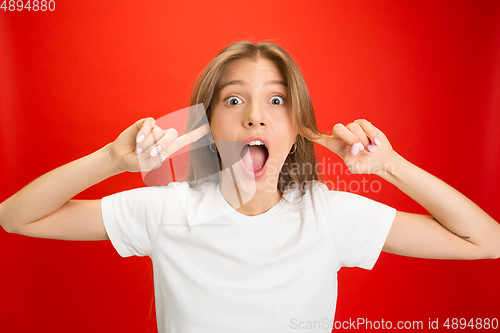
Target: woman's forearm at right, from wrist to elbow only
[448, 206]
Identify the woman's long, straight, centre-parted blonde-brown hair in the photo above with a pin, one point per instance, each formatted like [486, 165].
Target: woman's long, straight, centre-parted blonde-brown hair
[300, 166]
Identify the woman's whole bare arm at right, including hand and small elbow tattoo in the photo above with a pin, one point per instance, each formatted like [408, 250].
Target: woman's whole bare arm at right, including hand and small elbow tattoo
[457, 229]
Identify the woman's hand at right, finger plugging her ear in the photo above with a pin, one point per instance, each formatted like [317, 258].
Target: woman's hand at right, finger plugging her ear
[362, 146]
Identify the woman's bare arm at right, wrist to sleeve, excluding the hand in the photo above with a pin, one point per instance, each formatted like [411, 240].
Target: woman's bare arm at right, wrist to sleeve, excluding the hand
[457, 229]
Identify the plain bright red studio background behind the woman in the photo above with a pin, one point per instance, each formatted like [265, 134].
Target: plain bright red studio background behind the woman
[426, 73]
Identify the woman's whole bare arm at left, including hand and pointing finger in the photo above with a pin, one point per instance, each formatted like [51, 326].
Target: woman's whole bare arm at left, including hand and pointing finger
[44, 208]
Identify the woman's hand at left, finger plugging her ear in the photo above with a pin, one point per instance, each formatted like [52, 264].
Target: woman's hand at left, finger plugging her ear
[144, 145]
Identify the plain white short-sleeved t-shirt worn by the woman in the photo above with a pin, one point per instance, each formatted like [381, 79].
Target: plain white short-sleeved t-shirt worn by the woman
[216, 270]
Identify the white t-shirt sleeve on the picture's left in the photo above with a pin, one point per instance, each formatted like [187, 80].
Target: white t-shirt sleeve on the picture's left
[132, 218]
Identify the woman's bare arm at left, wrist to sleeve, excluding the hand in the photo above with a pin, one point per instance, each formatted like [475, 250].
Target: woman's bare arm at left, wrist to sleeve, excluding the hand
[48, 193]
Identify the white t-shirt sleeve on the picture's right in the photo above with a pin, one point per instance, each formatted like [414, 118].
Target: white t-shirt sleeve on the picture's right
[359, 227]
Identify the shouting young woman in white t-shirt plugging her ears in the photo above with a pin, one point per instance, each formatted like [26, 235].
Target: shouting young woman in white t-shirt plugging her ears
[252, 246]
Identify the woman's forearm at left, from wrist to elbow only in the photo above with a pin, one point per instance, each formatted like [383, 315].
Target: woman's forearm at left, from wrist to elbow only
[51, 191]
